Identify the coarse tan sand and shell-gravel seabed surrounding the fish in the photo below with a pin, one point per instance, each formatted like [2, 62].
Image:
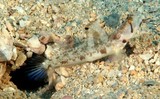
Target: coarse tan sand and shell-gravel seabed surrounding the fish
[136, 76]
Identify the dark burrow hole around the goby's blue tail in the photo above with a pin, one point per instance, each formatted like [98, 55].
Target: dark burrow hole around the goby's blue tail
[23, 81]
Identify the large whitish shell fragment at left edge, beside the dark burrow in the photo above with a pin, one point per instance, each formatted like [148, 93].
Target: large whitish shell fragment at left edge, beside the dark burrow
[6, 46]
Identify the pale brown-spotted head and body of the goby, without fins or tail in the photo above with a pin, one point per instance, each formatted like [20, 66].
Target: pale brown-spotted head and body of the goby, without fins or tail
[88, 53]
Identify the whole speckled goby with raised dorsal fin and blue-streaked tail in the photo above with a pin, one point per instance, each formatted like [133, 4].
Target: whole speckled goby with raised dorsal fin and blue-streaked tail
[97, 45]
